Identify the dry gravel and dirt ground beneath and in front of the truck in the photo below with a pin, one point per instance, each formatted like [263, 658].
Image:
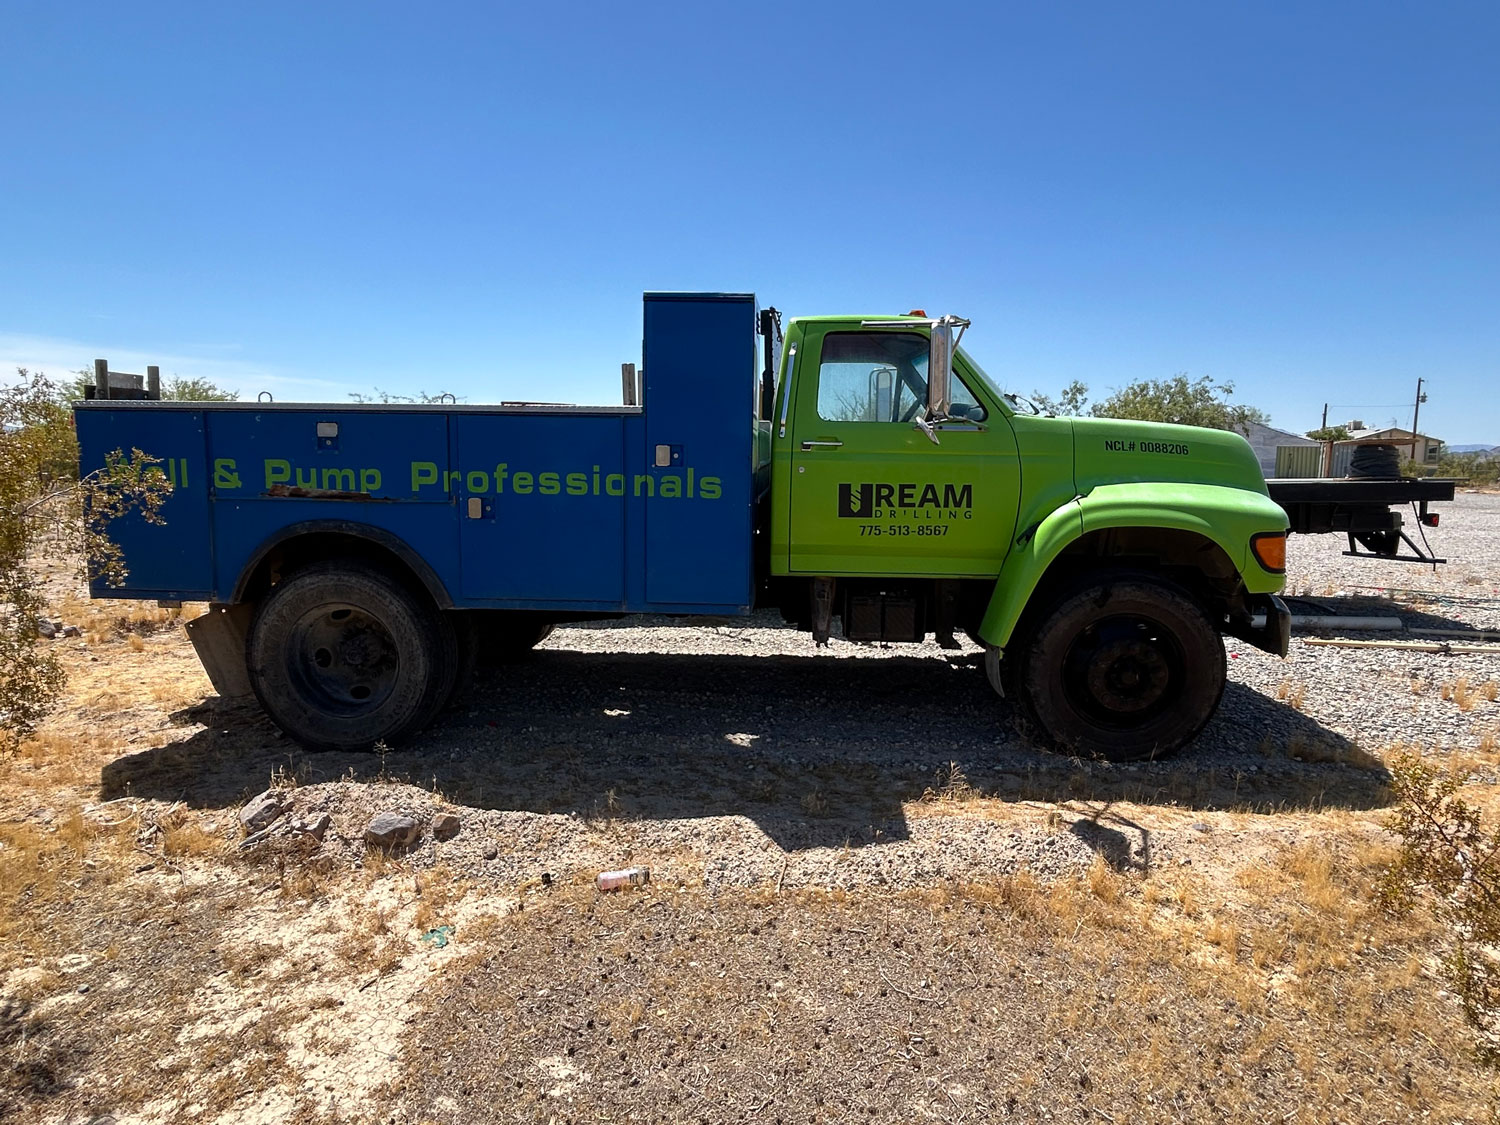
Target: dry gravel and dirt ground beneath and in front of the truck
[829, 929]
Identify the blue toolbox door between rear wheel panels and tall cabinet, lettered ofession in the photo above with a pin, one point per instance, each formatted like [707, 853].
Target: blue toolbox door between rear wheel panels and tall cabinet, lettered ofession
[553, 508]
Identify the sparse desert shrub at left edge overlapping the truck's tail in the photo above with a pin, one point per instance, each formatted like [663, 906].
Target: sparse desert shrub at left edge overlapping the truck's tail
[41, 499]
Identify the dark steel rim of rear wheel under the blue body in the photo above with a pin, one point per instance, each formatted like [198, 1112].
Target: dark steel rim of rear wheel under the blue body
[344, 661]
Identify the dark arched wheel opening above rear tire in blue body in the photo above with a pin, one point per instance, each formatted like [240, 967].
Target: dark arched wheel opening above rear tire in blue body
[322, 539]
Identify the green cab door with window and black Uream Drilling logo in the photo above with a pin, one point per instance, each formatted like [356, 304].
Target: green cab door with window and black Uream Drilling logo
[871, 494]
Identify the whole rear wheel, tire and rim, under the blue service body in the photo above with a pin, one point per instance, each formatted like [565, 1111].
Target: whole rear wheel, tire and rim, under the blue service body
[344, 656]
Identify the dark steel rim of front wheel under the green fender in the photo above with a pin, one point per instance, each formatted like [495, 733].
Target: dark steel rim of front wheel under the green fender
[1124, 671]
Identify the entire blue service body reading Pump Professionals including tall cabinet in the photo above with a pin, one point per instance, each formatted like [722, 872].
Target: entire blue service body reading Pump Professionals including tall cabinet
[610, 509]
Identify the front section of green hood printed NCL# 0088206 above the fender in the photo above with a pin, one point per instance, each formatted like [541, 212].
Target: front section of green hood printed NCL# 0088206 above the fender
[1117, 451]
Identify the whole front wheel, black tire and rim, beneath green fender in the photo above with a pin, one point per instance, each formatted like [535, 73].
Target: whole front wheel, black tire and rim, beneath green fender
[1126, 667]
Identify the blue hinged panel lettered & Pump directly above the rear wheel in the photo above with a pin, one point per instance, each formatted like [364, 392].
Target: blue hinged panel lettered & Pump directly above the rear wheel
[388, 454]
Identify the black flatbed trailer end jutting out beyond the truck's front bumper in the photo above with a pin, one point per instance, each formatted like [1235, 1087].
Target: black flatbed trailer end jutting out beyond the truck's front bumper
[1366, 511]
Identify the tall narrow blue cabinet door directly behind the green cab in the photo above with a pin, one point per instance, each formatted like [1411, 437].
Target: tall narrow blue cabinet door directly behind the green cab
[700, 406]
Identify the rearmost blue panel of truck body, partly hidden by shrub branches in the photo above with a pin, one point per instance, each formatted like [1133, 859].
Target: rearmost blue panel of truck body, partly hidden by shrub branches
[170, 560]
